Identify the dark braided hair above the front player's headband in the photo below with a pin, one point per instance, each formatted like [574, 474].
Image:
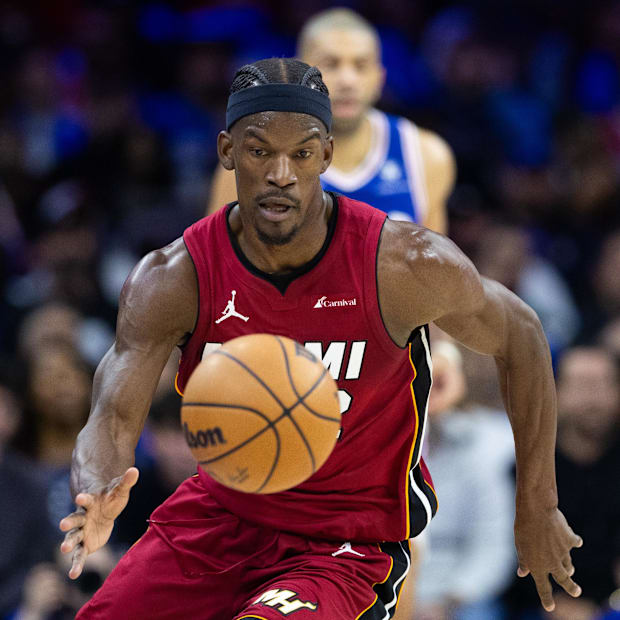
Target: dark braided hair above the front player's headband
[278, 71]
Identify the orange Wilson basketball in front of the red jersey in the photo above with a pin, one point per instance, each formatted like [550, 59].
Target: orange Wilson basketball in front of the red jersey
[261, 413]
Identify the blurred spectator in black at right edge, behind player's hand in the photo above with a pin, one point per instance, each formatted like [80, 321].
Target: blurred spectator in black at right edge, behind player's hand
[588, 466]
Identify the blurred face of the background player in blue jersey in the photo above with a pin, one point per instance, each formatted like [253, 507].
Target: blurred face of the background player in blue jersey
[352, 71]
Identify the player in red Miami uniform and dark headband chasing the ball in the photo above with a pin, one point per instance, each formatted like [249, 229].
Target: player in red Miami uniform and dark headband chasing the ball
[333, 546]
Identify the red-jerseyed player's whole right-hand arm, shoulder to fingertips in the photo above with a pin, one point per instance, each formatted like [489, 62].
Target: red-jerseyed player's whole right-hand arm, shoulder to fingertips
[424, 277]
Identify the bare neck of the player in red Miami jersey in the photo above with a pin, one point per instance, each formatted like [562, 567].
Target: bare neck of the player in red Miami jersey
[301, 249]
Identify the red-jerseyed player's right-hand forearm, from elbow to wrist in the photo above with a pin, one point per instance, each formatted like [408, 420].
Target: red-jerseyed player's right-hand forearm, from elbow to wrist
[528, 389]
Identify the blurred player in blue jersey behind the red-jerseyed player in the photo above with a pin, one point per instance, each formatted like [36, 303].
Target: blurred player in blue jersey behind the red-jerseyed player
[383, 160]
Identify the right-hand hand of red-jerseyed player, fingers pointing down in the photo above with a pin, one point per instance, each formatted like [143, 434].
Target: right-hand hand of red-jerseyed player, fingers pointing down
[544, 539]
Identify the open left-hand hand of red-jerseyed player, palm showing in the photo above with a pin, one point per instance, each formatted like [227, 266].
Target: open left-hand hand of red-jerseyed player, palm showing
[90, 526]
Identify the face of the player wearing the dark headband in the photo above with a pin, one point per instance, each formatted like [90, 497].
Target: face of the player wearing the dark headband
[277, 158]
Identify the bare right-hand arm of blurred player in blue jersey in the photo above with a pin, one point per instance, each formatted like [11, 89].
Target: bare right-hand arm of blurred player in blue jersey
[440, 175]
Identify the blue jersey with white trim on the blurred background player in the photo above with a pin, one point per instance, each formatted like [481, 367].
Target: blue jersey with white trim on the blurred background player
[391, 176]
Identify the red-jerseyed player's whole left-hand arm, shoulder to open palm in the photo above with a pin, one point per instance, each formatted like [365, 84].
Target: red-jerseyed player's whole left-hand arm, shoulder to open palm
[157, 310]
